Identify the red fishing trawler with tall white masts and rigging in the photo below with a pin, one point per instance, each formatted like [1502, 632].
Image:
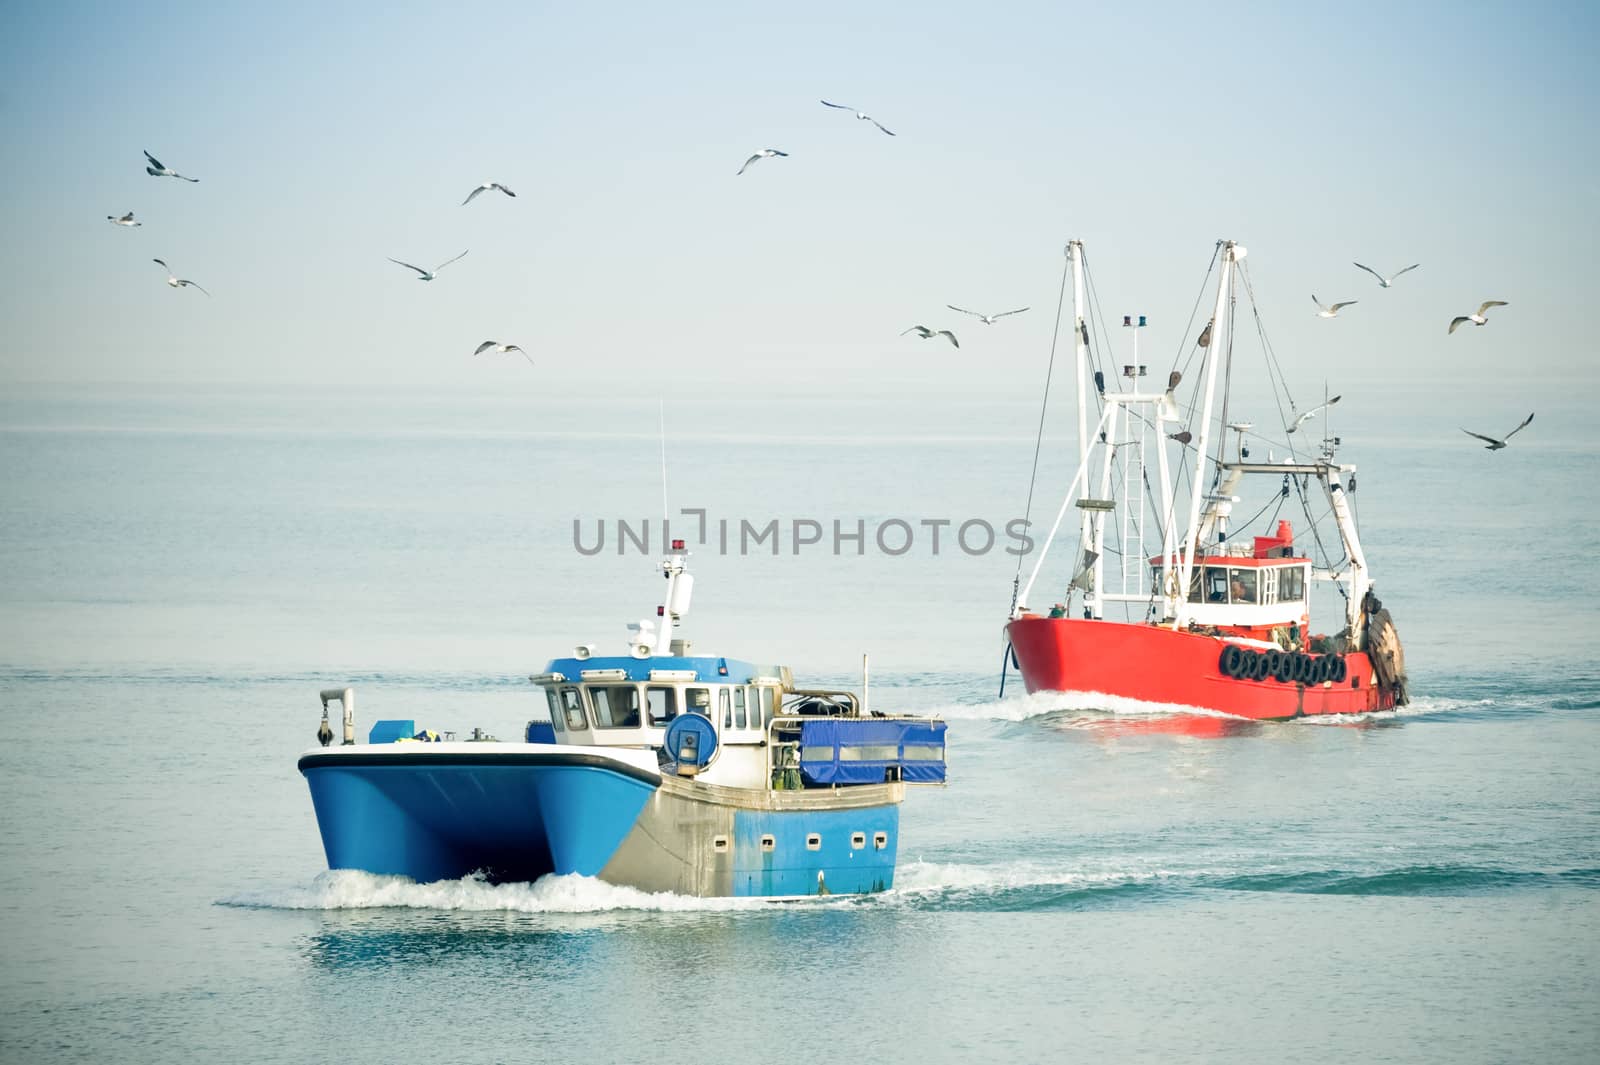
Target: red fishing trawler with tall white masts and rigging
[1217, 620]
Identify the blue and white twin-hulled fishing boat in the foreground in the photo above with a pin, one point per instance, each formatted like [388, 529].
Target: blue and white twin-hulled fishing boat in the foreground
[658, 770]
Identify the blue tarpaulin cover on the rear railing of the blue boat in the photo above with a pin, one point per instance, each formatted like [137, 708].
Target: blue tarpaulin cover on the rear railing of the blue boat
[862, 751]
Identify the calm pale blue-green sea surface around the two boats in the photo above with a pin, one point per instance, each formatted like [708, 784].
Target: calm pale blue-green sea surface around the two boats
[182, 572]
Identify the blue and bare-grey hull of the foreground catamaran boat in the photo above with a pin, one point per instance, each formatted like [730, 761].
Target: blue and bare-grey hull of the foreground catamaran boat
[519, 812]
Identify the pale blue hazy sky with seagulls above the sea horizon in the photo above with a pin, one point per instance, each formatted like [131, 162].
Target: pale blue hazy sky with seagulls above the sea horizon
[634, 260]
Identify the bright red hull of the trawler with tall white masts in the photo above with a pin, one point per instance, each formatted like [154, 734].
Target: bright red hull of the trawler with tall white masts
[1161, 666]
